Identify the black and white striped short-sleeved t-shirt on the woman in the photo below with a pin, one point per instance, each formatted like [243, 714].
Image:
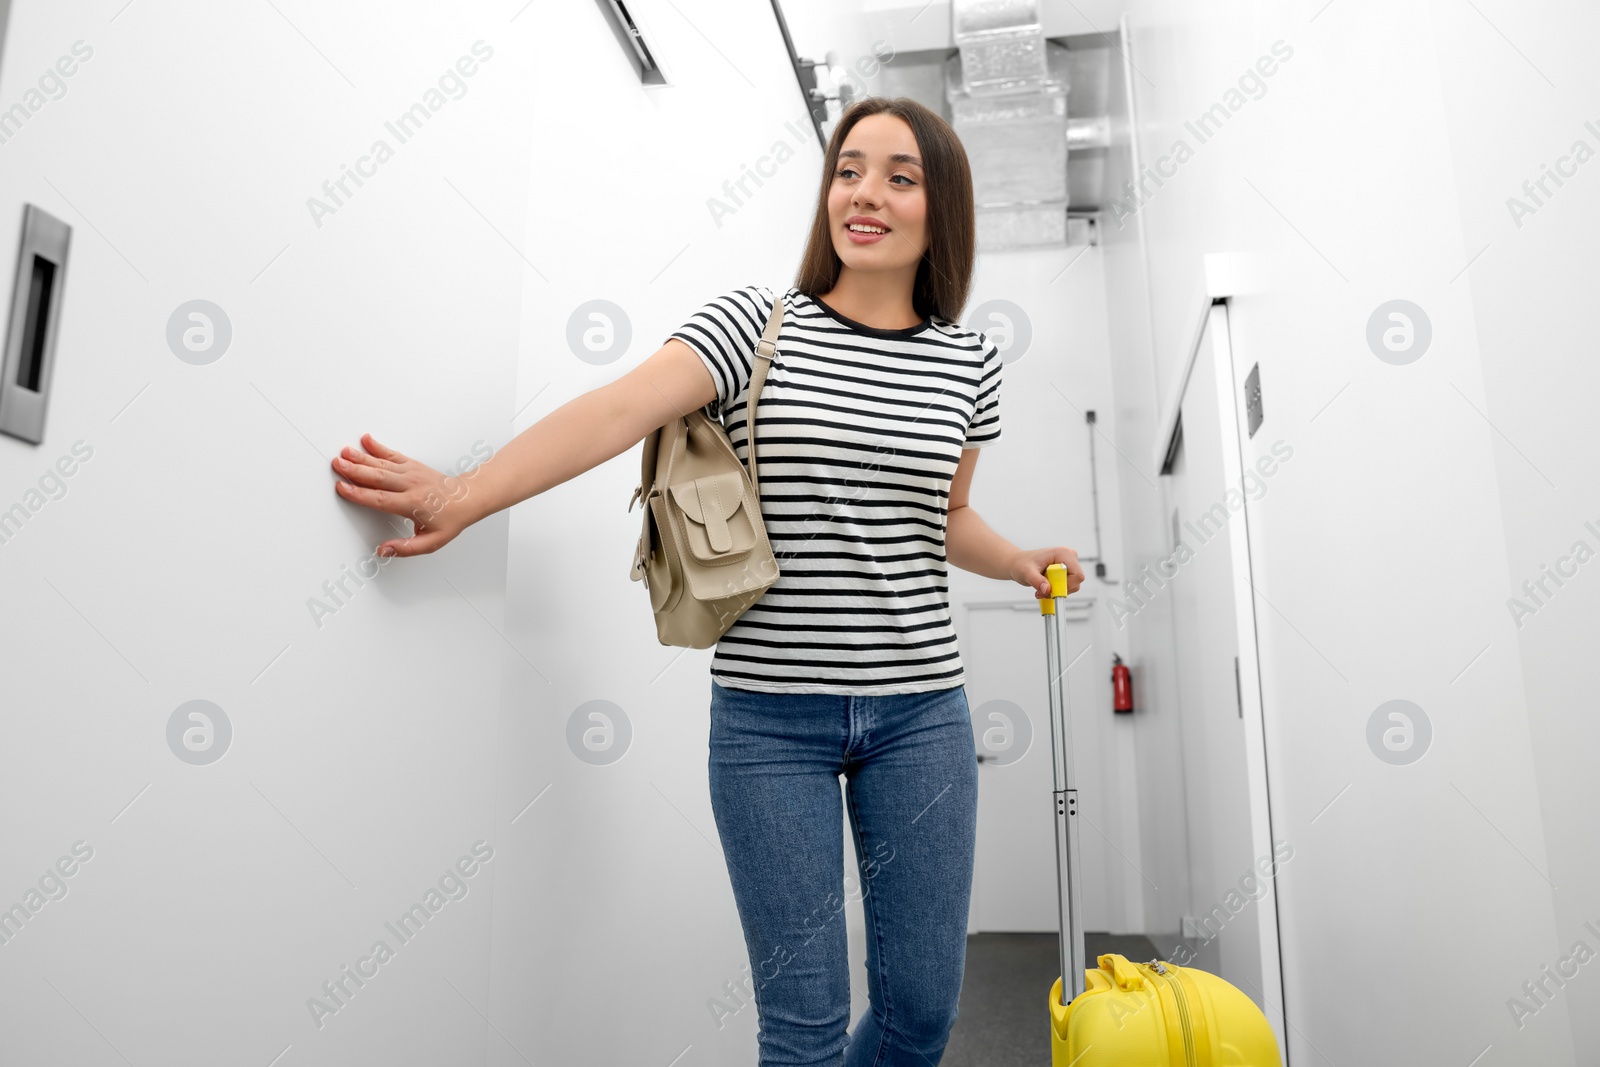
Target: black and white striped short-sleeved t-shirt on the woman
[860, 434]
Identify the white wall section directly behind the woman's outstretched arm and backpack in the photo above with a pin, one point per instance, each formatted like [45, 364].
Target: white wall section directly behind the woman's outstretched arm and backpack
[612, 900]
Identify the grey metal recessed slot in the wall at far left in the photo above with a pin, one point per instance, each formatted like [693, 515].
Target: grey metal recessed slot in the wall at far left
[34, 322]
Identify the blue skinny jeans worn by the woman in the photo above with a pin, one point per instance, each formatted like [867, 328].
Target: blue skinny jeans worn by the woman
[913, 789]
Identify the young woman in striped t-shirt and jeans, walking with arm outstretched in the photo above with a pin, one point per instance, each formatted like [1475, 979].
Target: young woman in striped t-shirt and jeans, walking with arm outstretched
[871, 422]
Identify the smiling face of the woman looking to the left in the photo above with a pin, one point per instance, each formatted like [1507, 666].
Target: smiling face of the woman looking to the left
[879, 182]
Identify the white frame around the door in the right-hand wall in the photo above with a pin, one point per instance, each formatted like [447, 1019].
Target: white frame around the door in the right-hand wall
[1214, 311]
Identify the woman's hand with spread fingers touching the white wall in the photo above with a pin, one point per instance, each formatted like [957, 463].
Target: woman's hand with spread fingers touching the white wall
[390, 482]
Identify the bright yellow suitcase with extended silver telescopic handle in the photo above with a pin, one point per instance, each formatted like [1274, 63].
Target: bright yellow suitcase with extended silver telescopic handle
[1122, 1013]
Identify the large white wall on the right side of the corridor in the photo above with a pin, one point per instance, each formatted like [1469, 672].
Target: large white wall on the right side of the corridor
[1375, 167]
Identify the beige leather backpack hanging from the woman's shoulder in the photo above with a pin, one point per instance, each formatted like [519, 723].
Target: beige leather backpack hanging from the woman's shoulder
[703, 553]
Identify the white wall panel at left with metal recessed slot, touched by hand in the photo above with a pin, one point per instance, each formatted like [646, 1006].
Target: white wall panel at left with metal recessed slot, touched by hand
[180, 559]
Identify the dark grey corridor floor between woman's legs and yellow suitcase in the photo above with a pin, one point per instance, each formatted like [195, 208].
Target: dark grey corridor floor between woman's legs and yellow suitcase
[1004, 1018]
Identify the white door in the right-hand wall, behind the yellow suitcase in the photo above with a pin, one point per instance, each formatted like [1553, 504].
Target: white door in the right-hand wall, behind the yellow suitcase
[1233, 905]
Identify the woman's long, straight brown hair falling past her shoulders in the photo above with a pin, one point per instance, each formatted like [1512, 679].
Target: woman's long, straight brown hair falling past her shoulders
[946, 271]
